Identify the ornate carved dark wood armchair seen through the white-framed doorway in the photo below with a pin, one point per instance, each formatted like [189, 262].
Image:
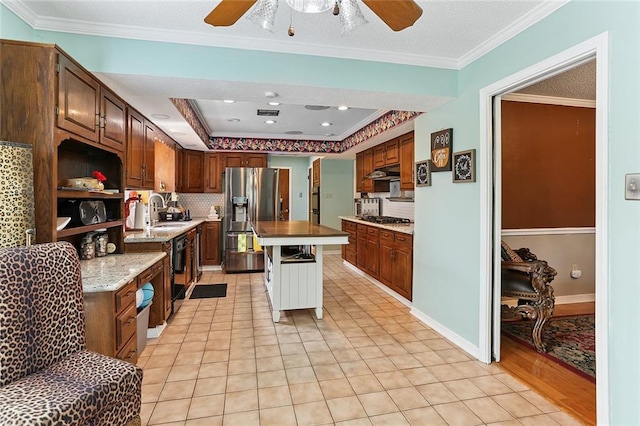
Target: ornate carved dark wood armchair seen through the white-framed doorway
[528, 279]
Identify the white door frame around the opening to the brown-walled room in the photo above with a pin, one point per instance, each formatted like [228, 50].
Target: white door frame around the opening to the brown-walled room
[490, 202]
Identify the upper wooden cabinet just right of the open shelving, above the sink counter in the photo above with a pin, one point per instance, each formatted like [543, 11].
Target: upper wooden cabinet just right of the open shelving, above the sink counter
[140, 151]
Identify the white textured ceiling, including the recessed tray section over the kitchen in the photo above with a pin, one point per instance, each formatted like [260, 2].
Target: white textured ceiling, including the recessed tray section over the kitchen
[450, 34]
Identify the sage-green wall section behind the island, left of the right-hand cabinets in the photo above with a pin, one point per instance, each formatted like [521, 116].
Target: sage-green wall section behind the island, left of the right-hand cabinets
[336, 191]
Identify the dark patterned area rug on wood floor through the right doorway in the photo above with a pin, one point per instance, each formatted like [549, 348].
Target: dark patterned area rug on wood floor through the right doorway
[570, 341]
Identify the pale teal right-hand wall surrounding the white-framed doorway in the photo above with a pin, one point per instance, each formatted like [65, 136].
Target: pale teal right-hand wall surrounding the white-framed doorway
[447, 232]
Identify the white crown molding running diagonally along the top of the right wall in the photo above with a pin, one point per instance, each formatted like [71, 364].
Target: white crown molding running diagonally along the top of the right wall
[535, 15]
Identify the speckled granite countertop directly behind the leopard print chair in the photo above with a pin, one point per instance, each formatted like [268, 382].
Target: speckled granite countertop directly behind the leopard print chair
[113, 271]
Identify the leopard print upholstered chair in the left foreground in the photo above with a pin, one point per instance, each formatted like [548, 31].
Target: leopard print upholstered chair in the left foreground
[47, 376]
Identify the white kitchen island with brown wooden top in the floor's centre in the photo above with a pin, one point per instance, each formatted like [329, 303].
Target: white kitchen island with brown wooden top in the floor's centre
[293, 277]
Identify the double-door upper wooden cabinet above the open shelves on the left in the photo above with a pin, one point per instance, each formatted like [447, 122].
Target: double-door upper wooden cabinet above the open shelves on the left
[88, 109]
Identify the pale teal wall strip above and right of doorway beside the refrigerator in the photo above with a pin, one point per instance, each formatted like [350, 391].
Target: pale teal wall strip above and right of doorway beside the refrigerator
[299, 187]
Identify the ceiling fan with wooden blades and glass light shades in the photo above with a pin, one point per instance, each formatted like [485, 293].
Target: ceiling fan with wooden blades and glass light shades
[397, 14]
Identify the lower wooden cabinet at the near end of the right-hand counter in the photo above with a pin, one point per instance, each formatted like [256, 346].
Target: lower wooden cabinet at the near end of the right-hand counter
[396, 262]
